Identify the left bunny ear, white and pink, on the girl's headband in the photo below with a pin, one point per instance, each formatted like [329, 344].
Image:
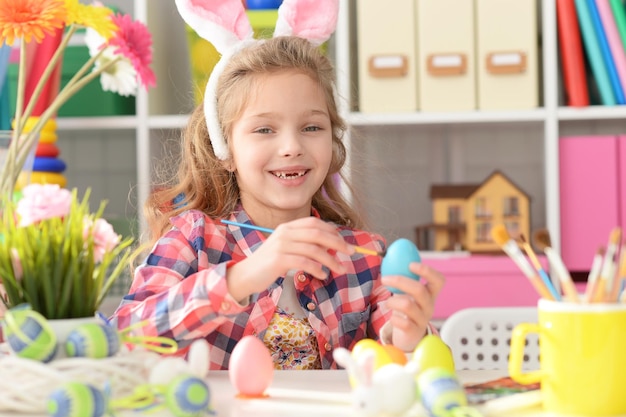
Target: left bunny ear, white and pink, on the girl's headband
[222, 22]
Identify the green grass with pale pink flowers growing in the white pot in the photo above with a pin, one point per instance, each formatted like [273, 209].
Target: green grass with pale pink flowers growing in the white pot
[56, 255]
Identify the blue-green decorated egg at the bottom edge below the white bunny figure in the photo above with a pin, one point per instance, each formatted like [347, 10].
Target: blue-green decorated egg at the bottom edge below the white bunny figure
[187, 396]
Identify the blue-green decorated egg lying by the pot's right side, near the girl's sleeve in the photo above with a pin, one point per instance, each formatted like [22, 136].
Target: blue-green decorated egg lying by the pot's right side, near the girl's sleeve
[93, 340]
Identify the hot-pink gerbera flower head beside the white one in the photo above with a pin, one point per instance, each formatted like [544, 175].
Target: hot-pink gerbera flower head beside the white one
[133, 41]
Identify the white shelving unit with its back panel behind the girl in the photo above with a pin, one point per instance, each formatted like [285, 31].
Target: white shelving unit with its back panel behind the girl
[393, 157]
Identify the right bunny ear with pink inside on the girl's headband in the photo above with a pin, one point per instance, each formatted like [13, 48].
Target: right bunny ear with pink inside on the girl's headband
[314, 20]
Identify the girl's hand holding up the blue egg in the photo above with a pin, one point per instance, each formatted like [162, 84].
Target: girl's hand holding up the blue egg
[413, 310]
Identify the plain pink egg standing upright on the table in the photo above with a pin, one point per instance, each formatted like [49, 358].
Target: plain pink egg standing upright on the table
[251, 367]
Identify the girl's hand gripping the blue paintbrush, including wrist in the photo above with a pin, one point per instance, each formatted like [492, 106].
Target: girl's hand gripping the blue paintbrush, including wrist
[304, 244]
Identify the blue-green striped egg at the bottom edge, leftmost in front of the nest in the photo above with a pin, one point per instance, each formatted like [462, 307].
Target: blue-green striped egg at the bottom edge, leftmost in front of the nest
[76, 399]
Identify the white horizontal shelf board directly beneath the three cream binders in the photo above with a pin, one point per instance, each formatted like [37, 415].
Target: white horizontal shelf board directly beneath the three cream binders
[425, 118]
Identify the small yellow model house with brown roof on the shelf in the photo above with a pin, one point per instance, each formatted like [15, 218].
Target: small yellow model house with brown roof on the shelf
[463, 215]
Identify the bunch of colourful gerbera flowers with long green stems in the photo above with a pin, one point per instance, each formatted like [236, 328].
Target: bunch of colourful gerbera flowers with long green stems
[126, 53]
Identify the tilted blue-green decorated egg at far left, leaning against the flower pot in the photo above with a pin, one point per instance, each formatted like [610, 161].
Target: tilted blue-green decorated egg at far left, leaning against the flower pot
[28, 334]
